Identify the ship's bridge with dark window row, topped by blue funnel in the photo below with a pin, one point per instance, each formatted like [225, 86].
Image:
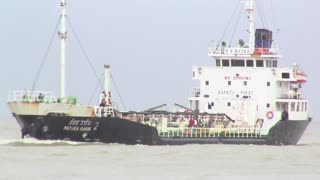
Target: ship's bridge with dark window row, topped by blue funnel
[261, 54]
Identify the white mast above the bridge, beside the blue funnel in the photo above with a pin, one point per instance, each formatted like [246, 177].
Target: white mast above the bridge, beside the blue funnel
[250, 8]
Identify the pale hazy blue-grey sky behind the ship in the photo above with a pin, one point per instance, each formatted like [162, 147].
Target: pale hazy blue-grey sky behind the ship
[151, 45]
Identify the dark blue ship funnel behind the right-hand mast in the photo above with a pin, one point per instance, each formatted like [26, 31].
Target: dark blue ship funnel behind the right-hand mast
[263, 38]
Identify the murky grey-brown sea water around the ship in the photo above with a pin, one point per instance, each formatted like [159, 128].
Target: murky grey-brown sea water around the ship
[37, 160]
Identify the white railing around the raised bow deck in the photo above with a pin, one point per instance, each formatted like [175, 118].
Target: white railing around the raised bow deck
[32, 96]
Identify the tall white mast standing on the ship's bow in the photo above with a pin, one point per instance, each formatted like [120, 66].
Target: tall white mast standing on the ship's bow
[63, 37]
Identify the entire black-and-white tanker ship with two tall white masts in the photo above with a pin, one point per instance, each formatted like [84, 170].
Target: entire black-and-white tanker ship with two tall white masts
[243, 98]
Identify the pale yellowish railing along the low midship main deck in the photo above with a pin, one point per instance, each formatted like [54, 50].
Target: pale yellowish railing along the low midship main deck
[253, 133]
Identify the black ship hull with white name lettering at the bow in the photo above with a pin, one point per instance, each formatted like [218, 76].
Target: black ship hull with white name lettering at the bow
[117, 130]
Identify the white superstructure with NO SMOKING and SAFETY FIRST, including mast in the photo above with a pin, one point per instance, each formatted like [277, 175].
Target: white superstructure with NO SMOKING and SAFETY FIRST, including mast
[246, 83]
